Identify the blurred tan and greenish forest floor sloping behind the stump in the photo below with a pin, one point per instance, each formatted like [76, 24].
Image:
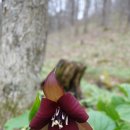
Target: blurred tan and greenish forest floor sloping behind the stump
[105, 53]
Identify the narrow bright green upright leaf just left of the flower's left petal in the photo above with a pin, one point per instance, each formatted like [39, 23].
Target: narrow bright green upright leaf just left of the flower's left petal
[36, 105]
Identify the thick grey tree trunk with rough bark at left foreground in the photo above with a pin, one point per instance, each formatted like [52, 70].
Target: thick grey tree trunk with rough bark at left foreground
[22, 49]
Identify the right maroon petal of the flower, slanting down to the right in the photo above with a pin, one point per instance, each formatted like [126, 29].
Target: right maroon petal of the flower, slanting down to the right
[72, 107]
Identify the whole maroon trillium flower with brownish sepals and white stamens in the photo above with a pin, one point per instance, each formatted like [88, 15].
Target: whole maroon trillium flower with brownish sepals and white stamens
[59, 110]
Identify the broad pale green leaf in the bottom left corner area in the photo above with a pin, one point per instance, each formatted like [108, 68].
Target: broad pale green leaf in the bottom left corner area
[17, 122]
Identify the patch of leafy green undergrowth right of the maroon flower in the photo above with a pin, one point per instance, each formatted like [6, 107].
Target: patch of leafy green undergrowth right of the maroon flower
[107, 110]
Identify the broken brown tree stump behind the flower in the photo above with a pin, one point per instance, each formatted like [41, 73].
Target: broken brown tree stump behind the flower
[69, 75]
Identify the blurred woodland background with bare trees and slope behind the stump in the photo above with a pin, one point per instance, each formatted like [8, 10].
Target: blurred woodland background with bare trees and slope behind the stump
[95, 32]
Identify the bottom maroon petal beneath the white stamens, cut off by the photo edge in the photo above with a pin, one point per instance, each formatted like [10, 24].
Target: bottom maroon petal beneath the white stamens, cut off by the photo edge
[71, 126]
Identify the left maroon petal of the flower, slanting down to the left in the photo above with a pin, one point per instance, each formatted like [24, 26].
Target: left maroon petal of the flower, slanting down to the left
[43, 116]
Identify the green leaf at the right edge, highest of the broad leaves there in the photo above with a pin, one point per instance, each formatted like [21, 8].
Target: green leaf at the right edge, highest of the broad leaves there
[125, 88]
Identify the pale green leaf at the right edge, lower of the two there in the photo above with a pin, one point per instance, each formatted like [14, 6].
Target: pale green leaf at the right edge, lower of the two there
[124, 112]
